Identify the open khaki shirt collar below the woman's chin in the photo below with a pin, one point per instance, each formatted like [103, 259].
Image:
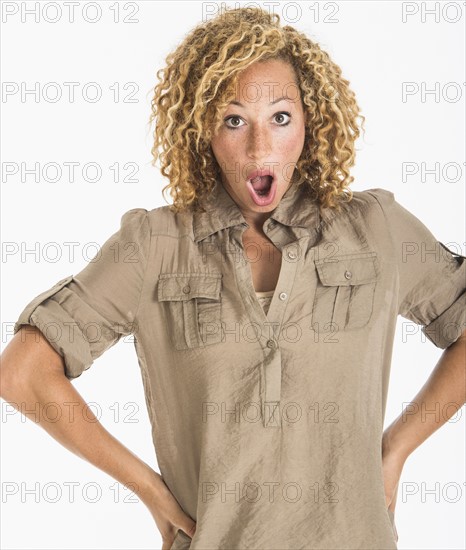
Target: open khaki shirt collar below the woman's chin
[296, 209]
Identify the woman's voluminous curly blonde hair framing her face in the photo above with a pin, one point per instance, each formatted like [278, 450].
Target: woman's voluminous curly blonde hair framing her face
[199, 81]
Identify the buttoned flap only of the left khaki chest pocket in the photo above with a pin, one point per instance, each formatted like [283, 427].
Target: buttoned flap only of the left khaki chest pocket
[186, 286]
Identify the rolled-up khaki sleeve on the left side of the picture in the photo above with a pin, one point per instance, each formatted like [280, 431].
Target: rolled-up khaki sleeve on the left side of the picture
[83, 315]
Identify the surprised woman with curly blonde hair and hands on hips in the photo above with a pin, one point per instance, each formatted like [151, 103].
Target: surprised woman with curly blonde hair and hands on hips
[263, 302]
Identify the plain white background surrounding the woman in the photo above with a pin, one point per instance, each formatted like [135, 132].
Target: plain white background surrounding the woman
[377, 52]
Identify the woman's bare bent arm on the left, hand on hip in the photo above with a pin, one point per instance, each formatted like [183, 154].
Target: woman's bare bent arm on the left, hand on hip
[32, 374]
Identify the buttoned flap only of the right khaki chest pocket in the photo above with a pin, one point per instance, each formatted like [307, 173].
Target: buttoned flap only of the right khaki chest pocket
[350, 269]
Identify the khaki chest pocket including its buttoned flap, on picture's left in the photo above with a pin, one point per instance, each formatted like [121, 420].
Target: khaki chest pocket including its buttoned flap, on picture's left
[192, 305]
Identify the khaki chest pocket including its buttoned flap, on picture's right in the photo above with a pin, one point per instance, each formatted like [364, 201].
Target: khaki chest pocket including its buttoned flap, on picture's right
[344, 297]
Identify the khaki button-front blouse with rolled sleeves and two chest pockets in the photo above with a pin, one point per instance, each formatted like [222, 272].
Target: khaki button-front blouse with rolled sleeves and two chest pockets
[267, 415]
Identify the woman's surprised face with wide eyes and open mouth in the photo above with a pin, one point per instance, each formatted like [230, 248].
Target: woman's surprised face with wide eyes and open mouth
[264, 132]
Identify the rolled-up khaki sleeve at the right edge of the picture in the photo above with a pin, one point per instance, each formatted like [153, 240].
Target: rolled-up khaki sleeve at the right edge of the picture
[432, 276]
